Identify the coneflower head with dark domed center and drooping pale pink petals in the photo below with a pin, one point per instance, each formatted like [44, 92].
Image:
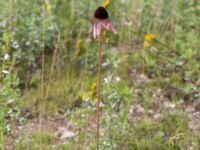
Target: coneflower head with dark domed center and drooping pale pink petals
[100, 21]
